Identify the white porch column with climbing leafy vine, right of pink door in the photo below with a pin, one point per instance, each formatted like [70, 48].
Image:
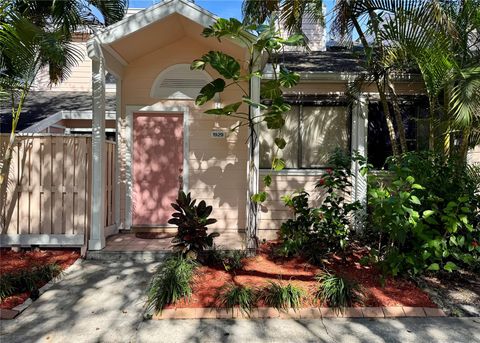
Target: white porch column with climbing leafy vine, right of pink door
[253, 169]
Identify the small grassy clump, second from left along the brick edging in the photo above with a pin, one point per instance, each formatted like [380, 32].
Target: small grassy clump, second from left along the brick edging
[232, 295]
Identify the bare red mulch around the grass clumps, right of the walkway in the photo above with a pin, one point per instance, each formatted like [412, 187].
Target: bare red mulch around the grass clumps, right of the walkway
[262, 268]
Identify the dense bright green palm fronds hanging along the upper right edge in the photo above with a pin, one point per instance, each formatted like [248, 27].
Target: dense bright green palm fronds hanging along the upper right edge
[442, 40]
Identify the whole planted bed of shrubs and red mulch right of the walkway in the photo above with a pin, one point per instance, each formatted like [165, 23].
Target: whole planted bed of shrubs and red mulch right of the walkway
[421, 227]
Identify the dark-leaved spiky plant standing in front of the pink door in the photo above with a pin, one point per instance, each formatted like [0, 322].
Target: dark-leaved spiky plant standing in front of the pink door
[192, 221]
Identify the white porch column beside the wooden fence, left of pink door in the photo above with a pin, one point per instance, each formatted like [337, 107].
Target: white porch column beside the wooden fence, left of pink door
[97, 236]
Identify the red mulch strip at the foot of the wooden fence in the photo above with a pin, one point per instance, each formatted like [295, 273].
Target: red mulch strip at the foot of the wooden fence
[11, 261]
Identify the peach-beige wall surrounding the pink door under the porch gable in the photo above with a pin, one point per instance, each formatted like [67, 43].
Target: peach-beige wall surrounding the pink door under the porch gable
[217, 167]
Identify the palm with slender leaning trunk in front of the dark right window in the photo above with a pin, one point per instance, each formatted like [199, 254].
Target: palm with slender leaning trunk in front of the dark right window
[349, 16]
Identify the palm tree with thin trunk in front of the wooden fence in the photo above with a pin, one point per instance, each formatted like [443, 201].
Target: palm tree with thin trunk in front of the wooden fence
[35, 34]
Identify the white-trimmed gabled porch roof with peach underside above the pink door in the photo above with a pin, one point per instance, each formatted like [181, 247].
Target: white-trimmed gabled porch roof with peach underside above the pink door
[151, 29]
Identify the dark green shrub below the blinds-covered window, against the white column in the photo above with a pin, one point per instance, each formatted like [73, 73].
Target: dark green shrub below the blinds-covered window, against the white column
[319, 231]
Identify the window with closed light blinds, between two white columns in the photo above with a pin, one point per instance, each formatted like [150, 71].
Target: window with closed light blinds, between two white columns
[311, 132]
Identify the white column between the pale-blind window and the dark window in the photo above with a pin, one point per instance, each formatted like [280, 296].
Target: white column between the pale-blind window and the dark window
[359, 144]
